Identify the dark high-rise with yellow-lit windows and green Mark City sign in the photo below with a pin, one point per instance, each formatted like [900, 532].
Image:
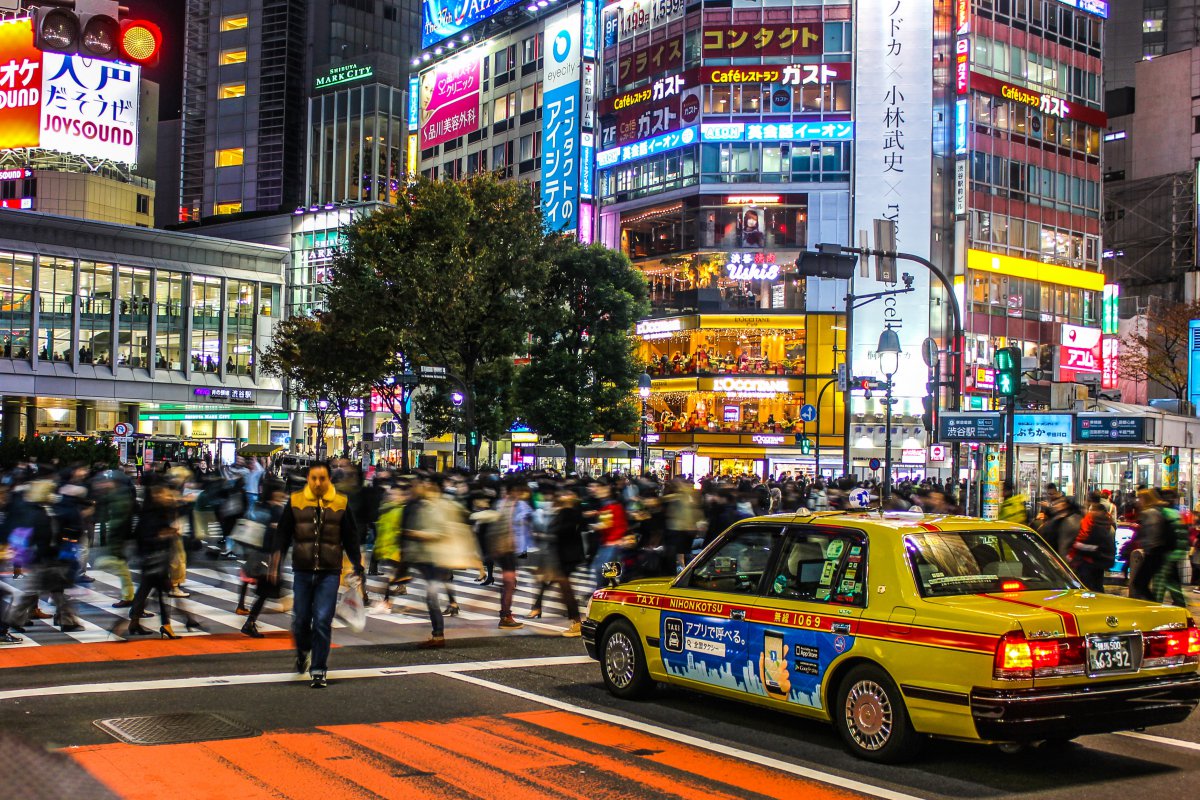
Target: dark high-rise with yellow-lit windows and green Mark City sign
[269, 82]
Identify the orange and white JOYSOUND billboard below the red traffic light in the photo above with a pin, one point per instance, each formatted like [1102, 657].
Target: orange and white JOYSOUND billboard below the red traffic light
[77, 106]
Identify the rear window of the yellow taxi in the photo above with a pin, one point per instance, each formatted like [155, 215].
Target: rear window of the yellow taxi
[971, 563]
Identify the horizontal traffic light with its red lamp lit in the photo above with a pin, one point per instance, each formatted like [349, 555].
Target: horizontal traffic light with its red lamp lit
[94, 31]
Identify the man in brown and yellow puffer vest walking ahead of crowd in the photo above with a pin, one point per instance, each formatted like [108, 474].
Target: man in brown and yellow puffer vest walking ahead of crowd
[317, 525]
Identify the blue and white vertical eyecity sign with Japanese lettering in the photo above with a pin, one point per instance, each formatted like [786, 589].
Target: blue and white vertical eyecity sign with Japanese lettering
[561, 123]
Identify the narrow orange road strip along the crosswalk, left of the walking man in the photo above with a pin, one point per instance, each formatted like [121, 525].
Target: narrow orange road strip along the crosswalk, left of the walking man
[139, 649]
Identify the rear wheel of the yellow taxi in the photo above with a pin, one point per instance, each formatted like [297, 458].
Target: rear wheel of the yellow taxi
[872, 718]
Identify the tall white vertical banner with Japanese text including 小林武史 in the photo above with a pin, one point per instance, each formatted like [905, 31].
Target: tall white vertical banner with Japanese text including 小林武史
[893, 166]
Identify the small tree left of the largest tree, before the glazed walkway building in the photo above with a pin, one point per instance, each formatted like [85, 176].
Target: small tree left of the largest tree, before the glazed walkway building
[322, 365]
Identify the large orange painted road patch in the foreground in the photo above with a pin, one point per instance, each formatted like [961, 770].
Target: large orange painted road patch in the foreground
[526, 756]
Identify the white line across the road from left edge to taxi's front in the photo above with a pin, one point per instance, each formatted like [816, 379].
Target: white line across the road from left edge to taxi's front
[287, 677]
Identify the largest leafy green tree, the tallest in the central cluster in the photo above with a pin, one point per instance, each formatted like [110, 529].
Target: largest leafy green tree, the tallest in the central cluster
[453, 273]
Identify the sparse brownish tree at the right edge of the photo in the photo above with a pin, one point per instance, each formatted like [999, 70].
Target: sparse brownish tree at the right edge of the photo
[1157, 348]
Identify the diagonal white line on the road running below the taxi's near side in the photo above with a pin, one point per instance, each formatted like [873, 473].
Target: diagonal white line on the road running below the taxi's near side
[688, 739]
